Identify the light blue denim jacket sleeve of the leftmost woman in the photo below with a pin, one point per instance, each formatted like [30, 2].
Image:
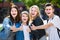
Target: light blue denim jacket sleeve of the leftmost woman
[4, 34]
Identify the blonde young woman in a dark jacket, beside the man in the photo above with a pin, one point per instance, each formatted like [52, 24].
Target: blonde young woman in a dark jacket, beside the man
[36, 20]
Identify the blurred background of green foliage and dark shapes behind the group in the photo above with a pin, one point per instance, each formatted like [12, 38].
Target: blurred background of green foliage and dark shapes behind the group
[25, 4]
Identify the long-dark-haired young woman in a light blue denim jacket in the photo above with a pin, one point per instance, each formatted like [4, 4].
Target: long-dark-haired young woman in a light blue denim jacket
[11, 25]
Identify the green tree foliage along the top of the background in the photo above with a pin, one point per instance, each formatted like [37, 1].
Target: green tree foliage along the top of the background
[29, 3]
